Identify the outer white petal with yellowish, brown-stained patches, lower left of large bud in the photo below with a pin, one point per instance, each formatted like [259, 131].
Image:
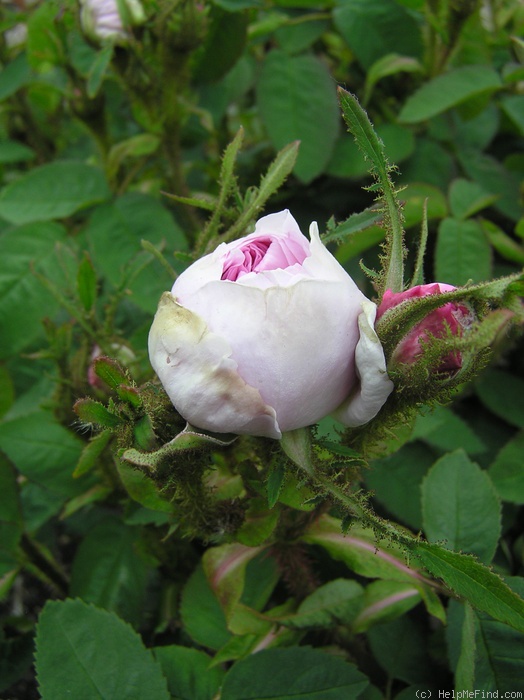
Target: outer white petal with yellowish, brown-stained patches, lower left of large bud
[198, 374]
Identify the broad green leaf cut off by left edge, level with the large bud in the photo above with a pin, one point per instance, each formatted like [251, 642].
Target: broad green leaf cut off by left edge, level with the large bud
[23, 299]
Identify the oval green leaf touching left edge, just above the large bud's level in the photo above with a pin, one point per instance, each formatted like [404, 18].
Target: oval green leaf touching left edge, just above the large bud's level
[53, 191]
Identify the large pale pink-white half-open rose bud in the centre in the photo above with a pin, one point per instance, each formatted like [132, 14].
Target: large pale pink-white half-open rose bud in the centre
[269, 334]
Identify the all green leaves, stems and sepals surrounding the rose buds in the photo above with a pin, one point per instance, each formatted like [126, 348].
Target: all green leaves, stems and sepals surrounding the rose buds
[143, 558]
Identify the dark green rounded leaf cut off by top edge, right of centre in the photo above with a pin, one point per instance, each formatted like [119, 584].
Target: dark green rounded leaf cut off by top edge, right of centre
[375, 29]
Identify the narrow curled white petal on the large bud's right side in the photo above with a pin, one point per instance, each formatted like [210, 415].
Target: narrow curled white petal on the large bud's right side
[375, 385]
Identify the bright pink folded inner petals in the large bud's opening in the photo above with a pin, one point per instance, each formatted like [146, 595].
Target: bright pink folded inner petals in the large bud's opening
[261, 254]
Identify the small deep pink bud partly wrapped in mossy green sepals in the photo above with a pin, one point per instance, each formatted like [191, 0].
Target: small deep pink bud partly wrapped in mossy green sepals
[451, 317]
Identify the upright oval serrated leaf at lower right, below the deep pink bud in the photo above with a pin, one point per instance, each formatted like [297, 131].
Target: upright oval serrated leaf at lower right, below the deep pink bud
[461, 507]
